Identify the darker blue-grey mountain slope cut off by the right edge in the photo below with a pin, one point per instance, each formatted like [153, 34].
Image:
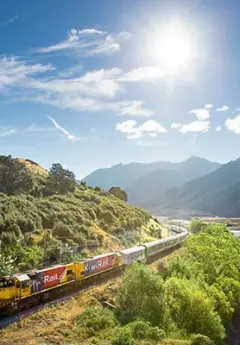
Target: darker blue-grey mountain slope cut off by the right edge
[217, 193]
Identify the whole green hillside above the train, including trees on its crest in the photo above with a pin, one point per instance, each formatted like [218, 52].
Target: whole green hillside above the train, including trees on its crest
[42, 223]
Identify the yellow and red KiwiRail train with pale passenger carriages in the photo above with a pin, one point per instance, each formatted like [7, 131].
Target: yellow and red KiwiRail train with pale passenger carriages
[25, 290]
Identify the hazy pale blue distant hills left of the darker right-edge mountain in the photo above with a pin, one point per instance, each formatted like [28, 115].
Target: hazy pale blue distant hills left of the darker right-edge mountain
[147, 183]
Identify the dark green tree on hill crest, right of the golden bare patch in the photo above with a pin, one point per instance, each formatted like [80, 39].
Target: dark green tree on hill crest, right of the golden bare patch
[60, 180]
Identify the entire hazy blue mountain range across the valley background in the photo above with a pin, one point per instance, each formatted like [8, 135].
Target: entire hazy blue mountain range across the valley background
[195, 185]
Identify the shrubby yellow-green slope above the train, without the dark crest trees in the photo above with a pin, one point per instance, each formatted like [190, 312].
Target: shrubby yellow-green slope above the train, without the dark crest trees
[92, 218]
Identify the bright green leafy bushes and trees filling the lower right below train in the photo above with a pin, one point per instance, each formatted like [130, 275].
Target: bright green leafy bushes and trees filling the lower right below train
[193, 299]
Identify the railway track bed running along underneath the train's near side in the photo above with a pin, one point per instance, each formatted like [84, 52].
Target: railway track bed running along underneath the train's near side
[106, 276]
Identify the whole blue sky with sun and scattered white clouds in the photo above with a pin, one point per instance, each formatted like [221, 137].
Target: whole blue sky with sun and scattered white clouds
[91, 83]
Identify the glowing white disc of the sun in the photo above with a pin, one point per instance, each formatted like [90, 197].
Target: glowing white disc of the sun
[172, 48]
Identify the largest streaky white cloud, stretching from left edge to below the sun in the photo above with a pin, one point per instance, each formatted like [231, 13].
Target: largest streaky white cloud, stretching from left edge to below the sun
[87, 92]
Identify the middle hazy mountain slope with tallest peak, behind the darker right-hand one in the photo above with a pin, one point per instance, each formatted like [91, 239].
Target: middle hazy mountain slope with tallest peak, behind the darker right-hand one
[151, 189]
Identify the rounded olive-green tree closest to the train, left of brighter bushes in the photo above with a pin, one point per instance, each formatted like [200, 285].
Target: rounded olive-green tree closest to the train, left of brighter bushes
[141, 295]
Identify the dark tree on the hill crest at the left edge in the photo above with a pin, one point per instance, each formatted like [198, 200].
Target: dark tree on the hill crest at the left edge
[15, 178]
